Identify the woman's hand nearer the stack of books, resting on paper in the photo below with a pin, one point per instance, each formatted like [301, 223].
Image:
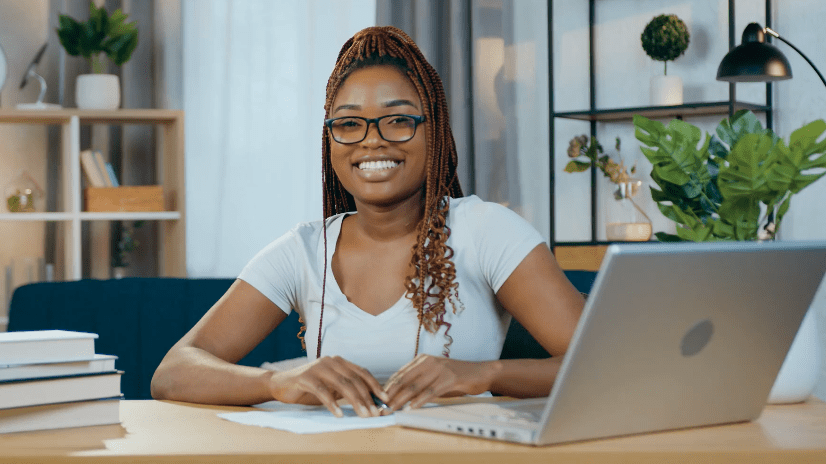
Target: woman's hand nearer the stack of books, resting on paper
[324, 381]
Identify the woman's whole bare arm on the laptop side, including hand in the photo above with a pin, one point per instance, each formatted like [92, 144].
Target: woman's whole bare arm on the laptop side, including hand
[543, 300]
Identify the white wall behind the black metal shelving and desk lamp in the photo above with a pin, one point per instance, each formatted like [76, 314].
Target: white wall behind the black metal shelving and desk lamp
[622, 80]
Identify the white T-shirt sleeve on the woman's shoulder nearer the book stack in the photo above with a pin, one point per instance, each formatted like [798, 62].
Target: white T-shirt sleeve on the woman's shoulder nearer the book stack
[272, 271]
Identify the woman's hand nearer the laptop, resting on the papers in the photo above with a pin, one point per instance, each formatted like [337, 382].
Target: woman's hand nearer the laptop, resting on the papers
[427, 377]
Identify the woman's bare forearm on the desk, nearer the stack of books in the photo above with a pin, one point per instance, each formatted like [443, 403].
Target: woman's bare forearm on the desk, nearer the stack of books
[194, 375]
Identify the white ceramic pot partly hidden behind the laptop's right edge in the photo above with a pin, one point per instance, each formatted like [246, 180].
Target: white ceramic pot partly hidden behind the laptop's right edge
[798, 376]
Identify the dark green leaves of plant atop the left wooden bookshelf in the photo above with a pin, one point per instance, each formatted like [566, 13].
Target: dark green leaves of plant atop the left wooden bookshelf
[102, 33]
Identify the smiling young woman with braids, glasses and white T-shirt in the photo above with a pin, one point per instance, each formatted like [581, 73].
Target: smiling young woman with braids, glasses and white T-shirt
[406, 287]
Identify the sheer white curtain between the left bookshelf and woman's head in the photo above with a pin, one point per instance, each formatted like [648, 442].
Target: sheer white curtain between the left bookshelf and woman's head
[254, 79]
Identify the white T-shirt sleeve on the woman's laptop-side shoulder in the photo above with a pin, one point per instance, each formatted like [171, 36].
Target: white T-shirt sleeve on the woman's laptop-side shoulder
[502, 240]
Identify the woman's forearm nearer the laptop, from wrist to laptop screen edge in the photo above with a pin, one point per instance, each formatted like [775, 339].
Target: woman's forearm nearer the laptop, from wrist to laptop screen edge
[523, 378]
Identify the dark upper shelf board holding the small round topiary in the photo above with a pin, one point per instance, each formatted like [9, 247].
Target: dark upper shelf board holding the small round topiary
[661, 112]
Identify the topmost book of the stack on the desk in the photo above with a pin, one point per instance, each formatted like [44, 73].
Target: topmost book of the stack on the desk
[40, 346]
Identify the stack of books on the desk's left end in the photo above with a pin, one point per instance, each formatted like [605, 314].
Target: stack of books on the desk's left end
[51, 379]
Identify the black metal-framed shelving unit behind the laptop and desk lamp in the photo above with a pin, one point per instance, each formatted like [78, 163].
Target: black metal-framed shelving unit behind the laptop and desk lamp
[589, 252]
